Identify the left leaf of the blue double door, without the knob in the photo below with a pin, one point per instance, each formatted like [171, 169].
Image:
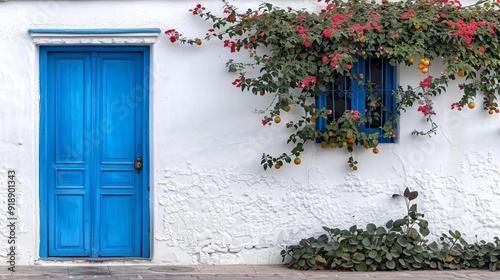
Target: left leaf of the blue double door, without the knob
[69, 154]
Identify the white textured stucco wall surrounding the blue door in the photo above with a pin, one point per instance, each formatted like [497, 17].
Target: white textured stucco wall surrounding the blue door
[211, 202]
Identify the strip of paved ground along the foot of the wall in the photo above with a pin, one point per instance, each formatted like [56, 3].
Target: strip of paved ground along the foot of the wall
[224, 272]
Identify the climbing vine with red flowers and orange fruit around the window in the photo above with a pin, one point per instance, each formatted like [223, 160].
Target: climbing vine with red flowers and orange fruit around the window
[298, 53]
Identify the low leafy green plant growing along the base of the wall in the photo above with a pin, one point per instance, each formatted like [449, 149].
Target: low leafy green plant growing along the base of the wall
[397, 246]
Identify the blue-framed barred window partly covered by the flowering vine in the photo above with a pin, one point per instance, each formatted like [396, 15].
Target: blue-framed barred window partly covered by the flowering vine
[346, 94]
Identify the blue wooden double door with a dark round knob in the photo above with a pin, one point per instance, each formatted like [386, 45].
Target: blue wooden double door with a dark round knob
[94, 134]
